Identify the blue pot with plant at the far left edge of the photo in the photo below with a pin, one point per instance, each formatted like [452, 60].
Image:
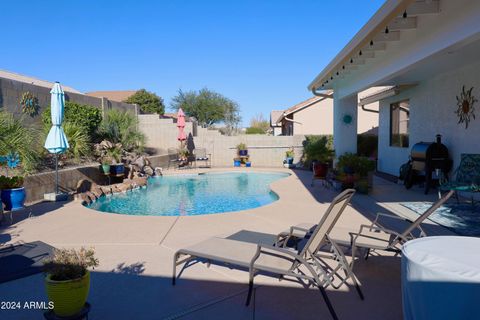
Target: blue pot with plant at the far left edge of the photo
[12, 192]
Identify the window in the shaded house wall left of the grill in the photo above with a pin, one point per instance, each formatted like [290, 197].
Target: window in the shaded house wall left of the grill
[399, 118]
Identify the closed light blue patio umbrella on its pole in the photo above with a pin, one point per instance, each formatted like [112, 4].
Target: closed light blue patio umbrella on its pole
[57, 142]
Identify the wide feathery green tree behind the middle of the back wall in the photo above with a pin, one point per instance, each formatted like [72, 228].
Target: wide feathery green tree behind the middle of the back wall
[208, 107]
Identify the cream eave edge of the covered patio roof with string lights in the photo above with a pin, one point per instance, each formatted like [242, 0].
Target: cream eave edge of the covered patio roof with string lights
[372, 37]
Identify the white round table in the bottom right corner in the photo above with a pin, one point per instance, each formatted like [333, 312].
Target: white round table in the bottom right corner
[441, 278]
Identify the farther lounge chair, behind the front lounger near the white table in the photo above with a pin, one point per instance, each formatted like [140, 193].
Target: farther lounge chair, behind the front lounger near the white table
[377, 237]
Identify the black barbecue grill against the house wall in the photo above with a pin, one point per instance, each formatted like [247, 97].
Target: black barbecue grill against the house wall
[428, 157]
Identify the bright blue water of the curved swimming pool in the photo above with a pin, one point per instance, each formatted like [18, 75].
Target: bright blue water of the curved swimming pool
[194, 194]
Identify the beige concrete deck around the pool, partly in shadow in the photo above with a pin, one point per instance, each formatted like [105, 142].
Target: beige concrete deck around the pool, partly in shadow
[133, 280]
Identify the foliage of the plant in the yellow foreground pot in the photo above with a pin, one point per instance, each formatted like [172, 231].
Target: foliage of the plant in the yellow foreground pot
[70, 264]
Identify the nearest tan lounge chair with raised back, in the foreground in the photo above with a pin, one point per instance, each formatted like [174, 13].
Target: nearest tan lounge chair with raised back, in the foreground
[305, 266]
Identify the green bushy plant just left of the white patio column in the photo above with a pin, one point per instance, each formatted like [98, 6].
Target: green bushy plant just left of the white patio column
[319, 148]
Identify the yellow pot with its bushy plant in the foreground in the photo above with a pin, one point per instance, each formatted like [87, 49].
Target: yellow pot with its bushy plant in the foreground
[67, 280]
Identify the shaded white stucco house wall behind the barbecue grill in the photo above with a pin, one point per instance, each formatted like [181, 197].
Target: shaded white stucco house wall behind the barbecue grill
[432, 106]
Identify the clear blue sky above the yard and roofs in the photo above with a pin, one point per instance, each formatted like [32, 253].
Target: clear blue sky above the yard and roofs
[262, 54]
